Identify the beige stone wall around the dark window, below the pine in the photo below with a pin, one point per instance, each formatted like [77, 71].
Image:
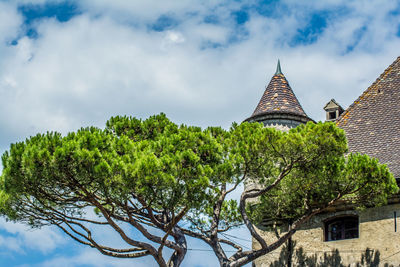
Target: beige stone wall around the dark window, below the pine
[378, 242]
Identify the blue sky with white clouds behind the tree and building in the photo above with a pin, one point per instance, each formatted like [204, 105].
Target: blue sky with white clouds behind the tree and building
[68, 64]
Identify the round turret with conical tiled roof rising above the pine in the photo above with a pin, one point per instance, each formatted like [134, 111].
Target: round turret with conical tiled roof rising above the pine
[279, 107]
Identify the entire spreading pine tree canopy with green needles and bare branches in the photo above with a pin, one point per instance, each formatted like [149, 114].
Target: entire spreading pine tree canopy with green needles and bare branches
[168, 182]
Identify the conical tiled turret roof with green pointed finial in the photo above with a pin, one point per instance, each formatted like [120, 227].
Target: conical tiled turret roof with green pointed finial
[279, 98]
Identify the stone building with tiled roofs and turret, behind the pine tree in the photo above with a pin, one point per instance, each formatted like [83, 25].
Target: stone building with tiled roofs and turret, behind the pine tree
[343, 236]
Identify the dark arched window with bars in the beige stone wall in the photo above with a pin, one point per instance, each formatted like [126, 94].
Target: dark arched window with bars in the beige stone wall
[341, 228]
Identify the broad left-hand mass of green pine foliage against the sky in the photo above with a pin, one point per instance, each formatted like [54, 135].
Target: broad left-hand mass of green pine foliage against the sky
[167, 166]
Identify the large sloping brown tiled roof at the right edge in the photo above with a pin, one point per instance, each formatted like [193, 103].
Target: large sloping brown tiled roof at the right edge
[372, 122]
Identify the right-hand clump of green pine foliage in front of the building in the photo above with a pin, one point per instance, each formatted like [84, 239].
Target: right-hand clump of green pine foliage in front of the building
[321, 172]
